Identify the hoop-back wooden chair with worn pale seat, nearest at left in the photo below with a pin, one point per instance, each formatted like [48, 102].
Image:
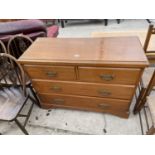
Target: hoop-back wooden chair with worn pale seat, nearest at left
[13, 95]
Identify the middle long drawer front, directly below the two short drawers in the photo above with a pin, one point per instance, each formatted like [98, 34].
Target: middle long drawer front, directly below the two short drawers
[86, 89]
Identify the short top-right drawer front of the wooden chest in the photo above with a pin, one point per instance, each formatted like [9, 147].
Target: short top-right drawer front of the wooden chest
[109, 75]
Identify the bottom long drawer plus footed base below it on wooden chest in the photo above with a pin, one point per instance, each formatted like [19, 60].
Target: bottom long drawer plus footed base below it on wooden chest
[113, 106]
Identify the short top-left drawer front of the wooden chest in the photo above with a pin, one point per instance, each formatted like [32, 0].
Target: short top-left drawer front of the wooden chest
[50, 72]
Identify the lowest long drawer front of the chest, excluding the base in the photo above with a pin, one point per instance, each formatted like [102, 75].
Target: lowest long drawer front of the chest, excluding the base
[85, 102]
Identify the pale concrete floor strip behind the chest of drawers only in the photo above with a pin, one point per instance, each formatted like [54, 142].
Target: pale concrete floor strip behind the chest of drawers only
[85, 29]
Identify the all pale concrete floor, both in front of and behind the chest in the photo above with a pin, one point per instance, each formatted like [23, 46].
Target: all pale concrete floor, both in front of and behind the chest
[61, 121]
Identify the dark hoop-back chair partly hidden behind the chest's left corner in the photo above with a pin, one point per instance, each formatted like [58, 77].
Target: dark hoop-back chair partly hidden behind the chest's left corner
[17, 45]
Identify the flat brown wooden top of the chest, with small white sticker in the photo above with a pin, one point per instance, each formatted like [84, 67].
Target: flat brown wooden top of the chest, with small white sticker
[112, 50]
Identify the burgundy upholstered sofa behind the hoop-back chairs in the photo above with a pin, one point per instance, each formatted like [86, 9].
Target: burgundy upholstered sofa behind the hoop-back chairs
[32, 28]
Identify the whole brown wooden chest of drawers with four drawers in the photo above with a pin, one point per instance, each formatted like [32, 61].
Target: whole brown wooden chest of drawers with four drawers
[95, 74]
